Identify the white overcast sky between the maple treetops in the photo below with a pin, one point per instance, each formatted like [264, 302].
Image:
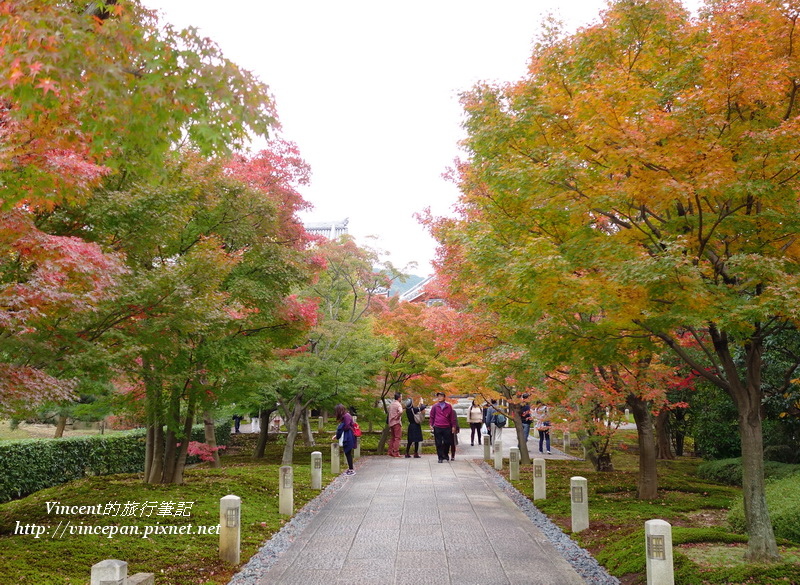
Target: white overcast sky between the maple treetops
[368, 89]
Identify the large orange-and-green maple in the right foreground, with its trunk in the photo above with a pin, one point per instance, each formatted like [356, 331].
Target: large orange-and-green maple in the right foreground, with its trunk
[646, 171]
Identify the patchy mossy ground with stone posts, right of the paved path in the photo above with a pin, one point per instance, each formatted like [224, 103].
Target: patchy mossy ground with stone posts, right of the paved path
[697, 510]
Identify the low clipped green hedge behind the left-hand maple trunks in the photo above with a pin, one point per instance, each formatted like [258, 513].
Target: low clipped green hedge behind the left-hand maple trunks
[30, 465]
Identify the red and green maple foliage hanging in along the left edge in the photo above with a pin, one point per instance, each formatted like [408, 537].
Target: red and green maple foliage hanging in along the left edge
[87, 95]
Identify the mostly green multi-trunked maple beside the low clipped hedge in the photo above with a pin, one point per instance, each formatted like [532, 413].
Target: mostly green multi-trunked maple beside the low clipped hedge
[212, 254]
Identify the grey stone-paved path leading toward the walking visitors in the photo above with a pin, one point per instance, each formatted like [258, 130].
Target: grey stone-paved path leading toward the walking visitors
[416, 521]
